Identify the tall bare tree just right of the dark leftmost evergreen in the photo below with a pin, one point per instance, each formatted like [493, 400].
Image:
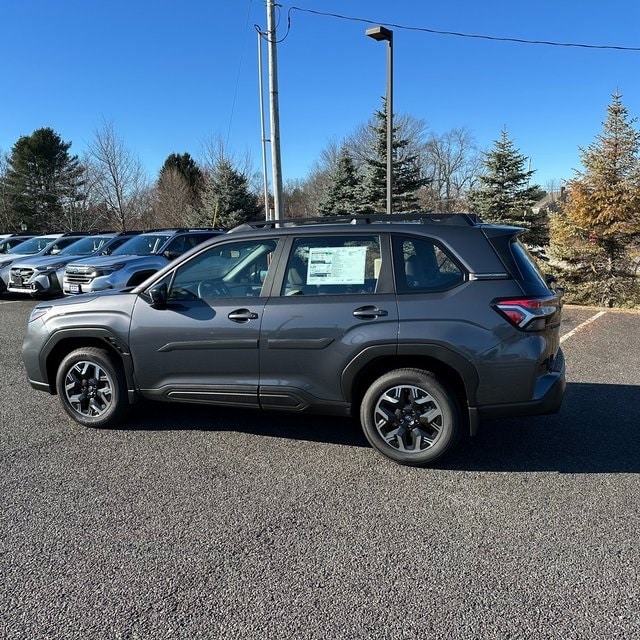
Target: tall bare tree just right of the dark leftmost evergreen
[119, 178]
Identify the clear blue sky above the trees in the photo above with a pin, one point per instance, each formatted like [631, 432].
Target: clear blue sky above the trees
[171, 76]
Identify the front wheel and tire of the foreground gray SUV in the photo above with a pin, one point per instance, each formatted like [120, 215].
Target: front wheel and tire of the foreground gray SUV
[91, 387]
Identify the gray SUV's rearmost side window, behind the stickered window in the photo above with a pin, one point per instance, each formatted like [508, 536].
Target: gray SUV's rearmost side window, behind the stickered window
[422, 265]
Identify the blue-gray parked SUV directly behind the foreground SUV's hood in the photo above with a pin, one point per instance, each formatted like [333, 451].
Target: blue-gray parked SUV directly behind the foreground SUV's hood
[133, 262]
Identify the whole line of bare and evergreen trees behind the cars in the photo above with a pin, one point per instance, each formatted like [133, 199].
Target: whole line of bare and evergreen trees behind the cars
[587, 235]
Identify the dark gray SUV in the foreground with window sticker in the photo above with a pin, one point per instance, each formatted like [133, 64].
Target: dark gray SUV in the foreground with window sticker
[421, 325]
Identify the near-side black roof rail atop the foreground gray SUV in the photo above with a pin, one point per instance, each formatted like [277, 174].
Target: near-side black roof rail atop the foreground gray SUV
[462, 219]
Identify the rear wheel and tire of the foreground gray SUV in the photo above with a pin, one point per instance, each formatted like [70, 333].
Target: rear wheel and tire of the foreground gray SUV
[408, 416]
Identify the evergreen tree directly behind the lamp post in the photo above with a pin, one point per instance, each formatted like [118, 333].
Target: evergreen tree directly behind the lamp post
[407, 175]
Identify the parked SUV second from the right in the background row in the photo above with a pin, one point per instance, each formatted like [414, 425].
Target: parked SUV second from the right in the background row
[42, 275]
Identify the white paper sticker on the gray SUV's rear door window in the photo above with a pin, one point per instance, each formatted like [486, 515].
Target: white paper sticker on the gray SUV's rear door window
[336, 265]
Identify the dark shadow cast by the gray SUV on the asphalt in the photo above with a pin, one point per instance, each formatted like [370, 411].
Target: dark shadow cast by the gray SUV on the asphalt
[596, 431]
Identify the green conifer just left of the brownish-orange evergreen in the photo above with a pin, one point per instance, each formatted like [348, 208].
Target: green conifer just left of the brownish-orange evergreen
[505, 195]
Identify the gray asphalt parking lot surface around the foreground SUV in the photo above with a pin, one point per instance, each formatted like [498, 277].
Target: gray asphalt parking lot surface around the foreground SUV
[194, 522]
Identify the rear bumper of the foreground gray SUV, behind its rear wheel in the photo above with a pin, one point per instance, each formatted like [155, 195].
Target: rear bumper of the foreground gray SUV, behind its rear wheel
[549, 392]
